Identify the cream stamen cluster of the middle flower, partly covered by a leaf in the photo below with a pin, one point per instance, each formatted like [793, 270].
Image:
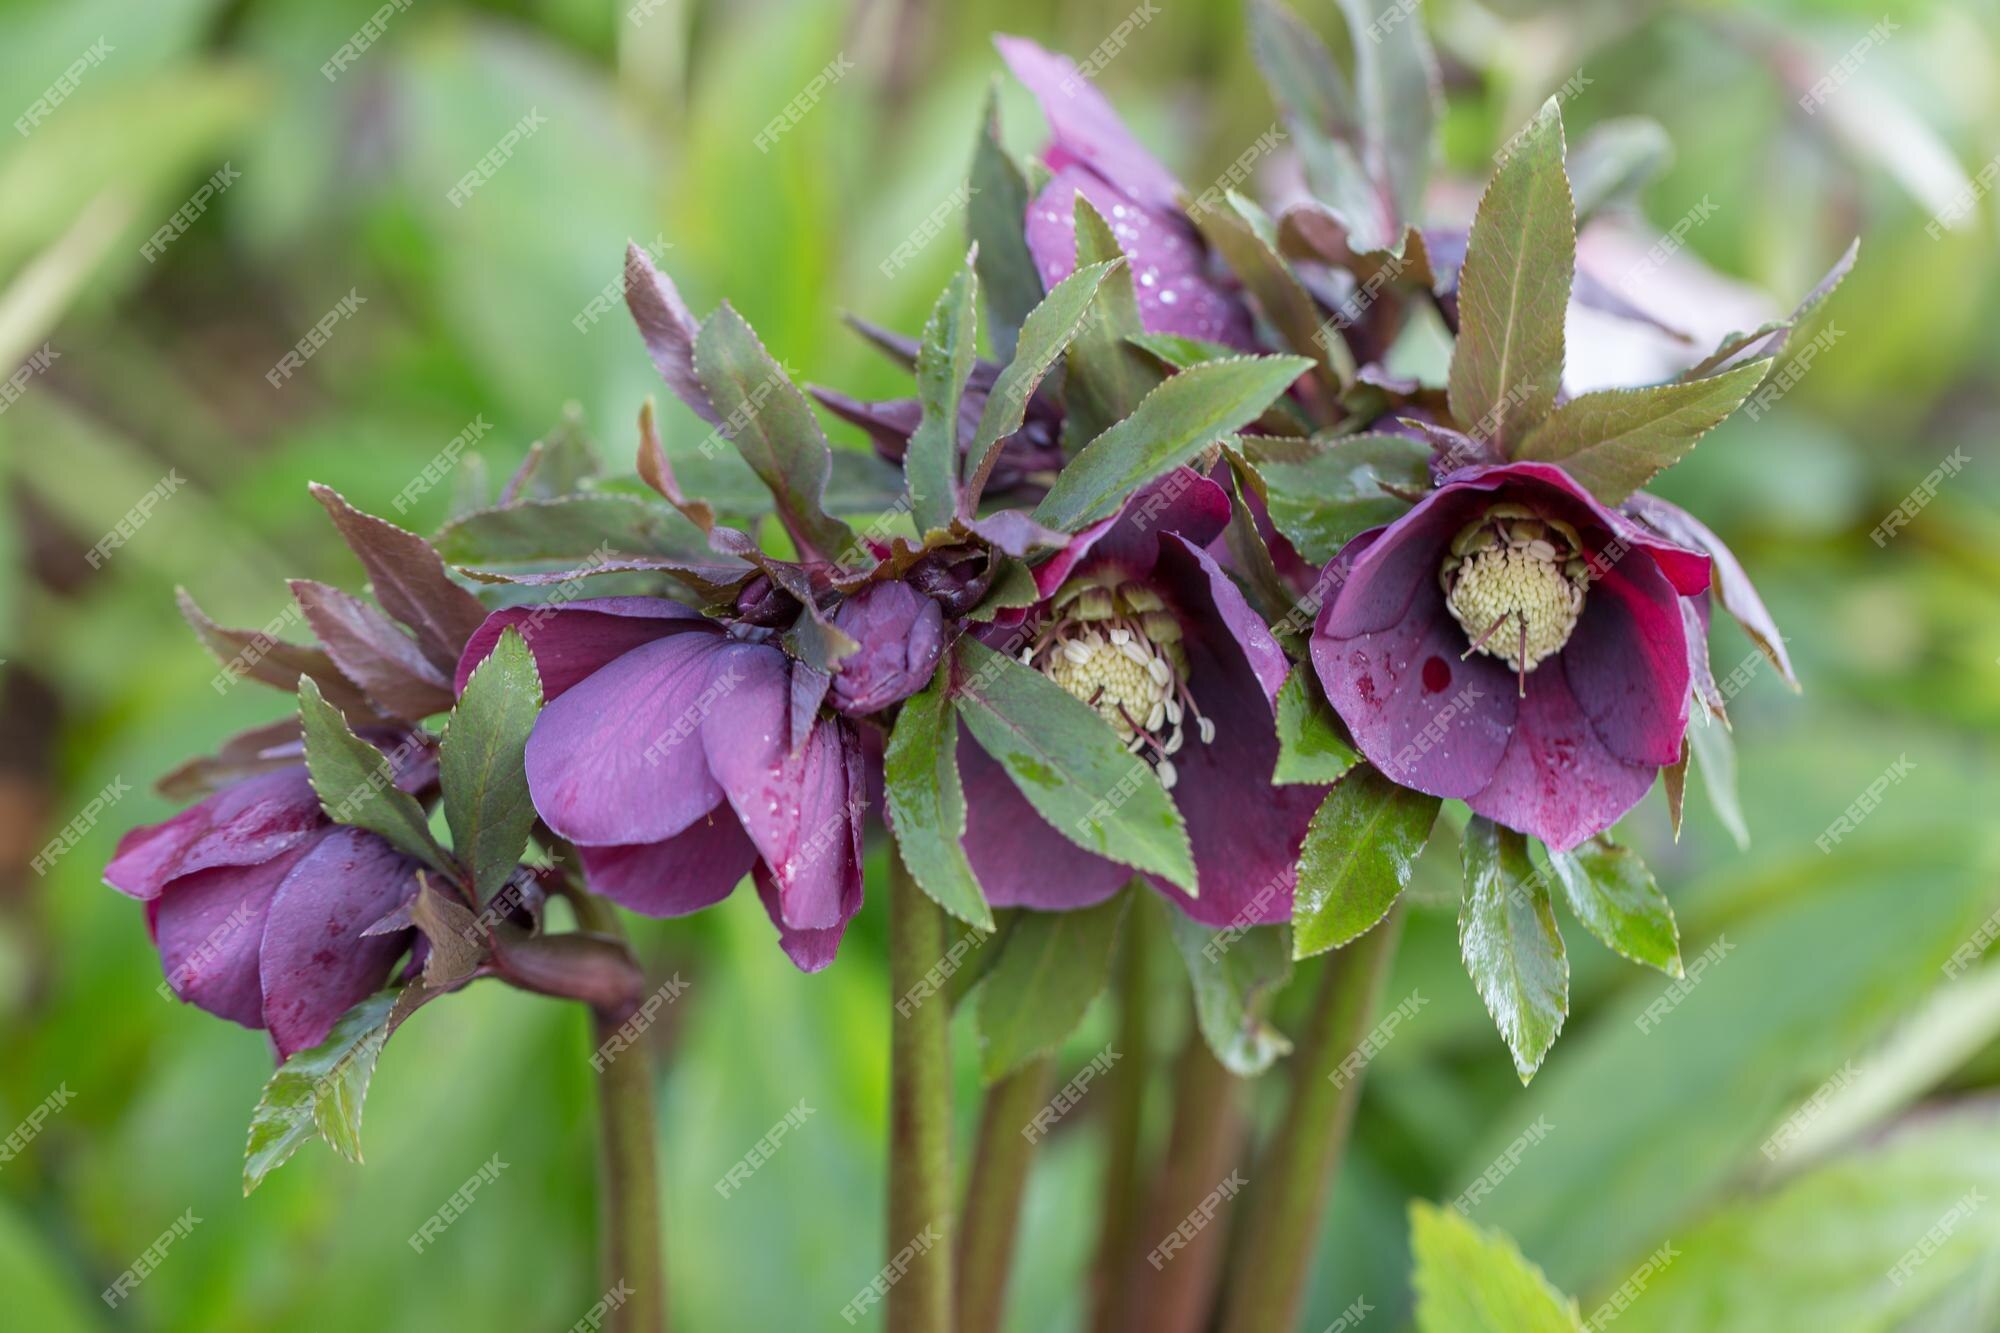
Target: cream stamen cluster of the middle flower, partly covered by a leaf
[1115, 645]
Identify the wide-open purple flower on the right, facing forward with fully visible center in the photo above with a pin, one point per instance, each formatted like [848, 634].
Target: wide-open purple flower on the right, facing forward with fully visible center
[1515, 645]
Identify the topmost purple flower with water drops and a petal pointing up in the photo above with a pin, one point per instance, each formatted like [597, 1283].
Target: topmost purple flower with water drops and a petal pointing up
[1091, 153]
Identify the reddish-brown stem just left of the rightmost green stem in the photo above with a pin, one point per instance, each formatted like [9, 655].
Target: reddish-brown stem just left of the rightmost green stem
[1173, 1290]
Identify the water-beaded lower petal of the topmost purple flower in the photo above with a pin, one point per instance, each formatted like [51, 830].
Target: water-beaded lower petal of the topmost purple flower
[1169, 263]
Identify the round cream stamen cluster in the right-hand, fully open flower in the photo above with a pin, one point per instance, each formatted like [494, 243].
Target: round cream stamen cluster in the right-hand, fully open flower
[1515, 581]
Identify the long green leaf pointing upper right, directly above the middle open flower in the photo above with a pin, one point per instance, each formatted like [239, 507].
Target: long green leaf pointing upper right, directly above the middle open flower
[1171, 427]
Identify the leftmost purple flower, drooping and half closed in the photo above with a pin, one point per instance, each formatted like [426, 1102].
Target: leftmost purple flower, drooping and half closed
[257, 904]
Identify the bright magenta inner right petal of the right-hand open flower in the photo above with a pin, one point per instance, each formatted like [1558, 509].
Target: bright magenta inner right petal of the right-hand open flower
[1629, 663]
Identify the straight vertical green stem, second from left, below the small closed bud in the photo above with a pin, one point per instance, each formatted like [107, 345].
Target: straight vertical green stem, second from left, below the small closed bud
[921, 1116]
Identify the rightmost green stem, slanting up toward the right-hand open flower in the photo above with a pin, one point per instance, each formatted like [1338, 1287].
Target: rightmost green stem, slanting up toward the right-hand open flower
[1297, 1174]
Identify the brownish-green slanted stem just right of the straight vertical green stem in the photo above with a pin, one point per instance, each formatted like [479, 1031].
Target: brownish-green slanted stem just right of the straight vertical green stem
[991, 1216]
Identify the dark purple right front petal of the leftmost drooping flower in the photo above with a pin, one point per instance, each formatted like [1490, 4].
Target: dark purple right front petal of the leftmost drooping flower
[315, 962]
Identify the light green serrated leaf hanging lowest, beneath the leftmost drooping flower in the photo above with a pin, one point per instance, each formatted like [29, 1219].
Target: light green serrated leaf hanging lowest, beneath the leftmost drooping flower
[321, 1090]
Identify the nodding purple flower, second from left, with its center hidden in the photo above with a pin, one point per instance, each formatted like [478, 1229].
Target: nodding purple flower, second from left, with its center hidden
[669, 756]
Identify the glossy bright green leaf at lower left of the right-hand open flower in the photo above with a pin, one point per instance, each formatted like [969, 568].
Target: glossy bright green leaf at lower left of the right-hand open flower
[1357, 860]
